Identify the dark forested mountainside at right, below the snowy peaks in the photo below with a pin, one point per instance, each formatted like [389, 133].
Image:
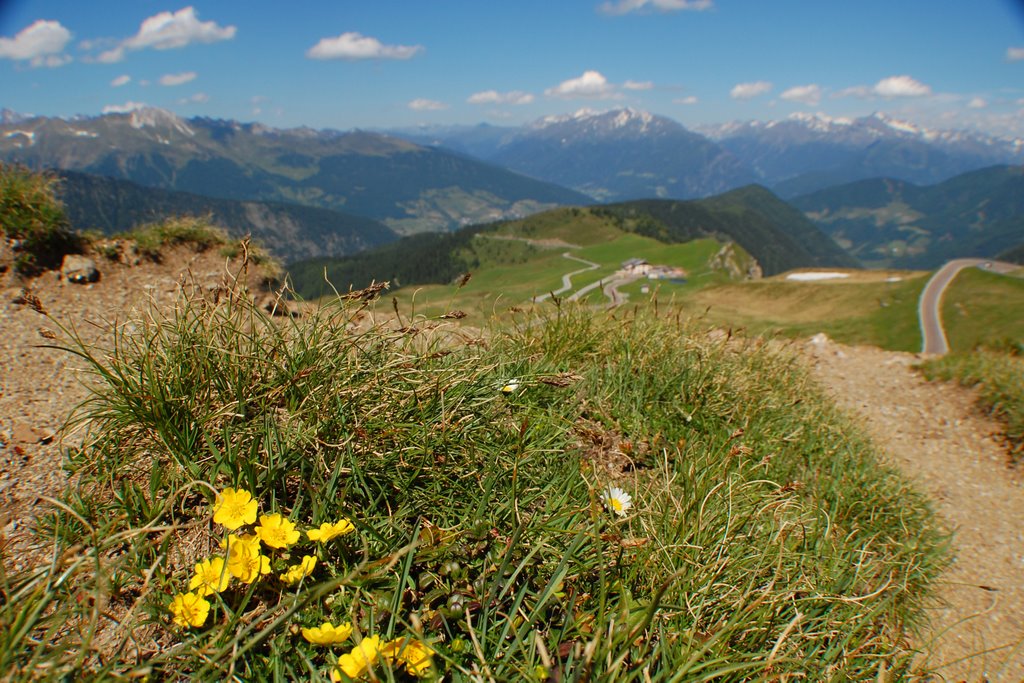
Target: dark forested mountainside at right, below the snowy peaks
[887, 223]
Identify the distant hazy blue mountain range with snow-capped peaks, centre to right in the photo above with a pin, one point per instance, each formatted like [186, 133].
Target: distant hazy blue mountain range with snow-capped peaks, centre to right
[625, 154]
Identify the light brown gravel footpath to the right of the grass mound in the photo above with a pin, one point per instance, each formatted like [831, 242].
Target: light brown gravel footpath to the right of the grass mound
[930, 432]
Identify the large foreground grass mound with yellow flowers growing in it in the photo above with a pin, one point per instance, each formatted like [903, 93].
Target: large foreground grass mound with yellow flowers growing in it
[763, 541]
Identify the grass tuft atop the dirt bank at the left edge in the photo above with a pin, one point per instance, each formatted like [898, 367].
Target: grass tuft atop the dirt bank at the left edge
[34, 220]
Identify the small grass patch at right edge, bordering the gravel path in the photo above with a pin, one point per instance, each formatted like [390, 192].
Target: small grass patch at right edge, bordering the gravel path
[998, 374]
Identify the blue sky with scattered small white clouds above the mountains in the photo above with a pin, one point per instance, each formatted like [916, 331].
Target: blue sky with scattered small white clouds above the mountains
[374, 64]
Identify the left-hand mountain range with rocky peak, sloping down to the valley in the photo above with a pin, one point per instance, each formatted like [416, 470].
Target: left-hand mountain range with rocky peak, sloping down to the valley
[408, 187]
